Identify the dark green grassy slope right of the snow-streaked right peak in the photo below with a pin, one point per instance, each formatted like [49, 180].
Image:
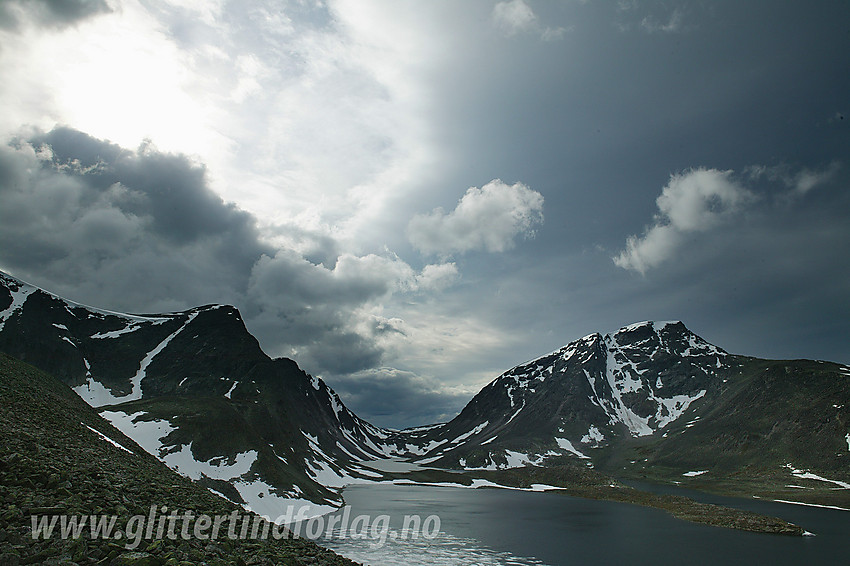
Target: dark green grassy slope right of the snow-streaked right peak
[770, 413]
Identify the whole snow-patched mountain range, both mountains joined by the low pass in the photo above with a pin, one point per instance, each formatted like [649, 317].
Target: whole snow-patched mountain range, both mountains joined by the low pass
[650, 401]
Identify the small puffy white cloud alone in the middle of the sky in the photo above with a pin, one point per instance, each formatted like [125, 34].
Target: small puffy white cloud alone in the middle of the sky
[489, 218]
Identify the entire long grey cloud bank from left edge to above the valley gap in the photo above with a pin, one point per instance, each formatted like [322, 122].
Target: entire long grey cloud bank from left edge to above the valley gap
[141, 230]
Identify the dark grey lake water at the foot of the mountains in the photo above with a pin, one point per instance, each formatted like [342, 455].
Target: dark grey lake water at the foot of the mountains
[495, 526]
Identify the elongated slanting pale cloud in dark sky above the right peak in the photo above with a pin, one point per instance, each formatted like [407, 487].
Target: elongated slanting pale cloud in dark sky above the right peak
[692, 202]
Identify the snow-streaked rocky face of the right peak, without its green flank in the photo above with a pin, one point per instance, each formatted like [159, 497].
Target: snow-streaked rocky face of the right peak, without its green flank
[630, 383]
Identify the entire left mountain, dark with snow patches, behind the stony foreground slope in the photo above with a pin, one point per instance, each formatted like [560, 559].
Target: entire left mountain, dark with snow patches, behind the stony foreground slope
[195, 389]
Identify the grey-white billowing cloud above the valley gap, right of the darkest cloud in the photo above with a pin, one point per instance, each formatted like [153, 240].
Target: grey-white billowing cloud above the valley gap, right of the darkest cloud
[323, 314]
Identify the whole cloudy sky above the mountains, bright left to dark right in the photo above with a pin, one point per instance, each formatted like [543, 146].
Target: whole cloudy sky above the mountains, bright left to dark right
[409, 198]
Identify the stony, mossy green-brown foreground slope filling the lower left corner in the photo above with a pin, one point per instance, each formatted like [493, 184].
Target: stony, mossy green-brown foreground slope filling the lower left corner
[52, 463]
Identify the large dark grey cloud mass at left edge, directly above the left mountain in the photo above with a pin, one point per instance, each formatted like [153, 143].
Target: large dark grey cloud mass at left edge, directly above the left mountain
[133, 229]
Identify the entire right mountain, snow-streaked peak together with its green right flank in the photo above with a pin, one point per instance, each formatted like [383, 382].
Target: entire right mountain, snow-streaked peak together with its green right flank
[654, 400]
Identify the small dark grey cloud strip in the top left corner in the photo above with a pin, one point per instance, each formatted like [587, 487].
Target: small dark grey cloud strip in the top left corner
[50, 13]
